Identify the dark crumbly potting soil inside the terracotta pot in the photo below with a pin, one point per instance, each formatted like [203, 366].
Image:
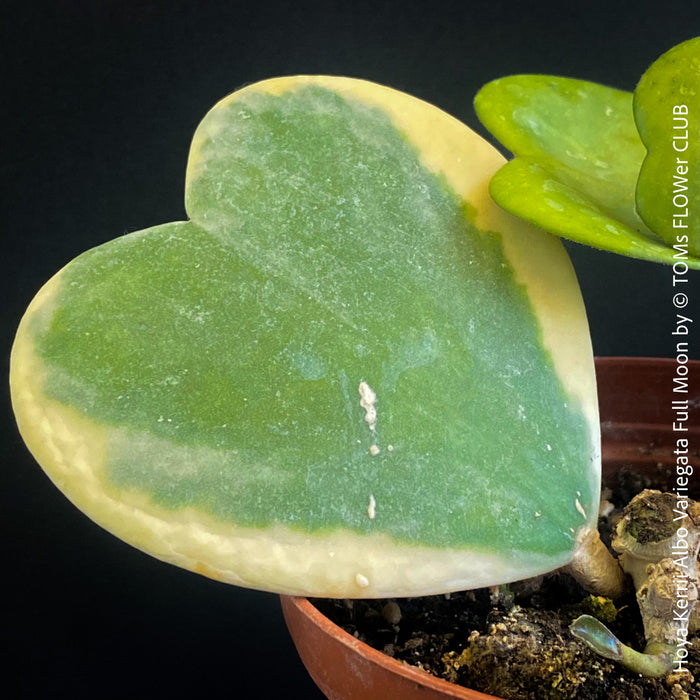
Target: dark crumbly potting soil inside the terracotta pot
[514, 643]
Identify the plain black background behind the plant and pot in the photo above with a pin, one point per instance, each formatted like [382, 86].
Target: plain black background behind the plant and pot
[99, 102]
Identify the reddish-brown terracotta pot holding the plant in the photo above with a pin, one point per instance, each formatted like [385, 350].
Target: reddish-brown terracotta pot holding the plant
[636, 412]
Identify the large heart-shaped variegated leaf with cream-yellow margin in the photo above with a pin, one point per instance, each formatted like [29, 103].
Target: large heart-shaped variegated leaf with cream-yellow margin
[349, 374]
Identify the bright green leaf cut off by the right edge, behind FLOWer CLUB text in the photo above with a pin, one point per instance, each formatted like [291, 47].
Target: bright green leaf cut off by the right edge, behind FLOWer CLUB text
[666, 109]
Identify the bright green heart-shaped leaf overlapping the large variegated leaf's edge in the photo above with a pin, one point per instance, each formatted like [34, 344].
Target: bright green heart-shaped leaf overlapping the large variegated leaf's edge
[578, 156]
